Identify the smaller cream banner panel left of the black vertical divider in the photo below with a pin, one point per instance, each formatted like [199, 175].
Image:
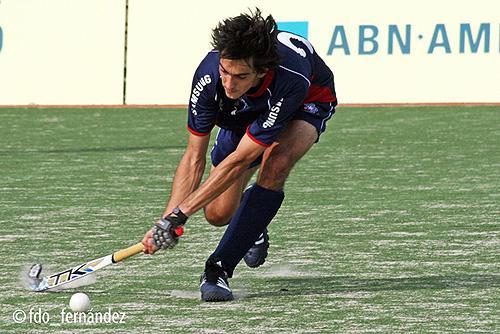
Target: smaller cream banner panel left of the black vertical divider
[62, 51]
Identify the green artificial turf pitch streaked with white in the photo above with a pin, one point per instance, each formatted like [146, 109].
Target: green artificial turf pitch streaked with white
[390, 224]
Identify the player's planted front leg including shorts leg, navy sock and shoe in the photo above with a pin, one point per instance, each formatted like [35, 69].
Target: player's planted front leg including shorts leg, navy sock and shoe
[259, 204]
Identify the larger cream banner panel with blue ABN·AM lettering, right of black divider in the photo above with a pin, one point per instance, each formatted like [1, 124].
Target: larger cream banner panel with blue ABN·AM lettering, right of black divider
[386, 51]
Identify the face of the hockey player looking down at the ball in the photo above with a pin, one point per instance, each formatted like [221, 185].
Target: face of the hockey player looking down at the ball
[238, 77]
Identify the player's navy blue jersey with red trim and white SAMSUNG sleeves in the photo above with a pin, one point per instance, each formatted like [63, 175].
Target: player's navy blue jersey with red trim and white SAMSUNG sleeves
[265, 110]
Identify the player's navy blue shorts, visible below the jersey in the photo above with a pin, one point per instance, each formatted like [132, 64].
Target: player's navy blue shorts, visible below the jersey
[316, 114]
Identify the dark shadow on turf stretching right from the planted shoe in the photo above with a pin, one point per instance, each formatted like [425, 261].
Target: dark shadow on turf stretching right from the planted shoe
[347, 284]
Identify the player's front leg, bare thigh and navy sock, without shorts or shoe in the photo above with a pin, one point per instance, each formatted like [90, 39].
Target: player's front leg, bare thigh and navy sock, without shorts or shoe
[261, 202]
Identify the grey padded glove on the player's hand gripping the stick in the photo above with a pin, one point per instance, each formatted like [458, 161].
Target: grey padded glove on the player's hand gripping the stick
[167, 231]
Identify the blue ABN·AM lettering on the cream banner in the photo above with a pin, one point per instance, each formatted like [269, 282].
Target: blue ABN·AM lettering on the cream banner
[473, 40]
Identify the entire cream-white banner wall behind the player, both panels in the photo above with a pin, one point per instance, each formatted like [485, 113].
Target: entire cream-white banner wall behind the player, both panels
[71, 51]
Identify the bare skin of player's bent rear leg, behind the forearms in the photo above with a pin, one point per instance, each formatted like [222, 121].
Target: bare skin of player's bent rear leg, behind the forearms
[220, 211]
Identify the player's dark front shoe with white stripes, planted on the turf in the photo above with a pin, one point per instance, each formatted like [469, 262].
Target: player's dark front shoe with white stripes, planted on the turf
[213, 283]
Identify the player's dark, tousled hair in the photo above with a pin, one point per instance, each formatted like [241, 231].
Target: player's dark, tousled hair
[248, 37]
